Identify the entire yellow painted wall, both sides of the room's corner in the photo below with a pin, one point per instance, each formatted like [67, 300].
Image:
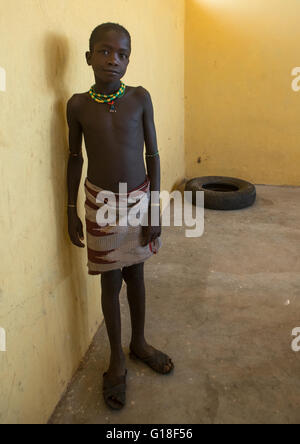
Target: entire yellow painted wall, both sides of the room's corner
[241, 119]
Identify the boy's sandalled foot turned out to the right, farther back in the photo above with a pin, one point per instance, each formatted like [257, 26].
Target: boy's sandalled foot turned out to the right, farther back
[156, 359]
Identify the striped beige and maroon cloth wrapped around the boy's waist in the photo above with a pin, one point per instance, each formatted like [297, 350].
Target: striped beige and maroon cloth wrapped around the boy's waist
[113, 241]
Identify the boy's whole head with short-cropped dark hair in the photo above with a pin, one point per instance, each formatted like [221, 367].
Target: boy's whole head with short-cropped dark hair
[110, 48]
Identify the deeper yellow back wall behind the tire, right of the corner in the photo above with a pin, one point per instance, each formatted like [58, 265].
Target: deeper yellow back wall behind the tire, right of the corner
[242, 116]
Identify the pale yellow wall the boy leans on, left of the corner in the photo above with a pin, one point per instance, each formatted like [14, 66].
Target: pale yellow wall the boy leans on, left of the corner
[49, 306]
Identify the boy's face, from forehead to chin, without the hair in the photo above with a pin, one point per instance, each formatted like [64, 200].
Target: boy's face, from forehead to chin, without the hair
[110, 53]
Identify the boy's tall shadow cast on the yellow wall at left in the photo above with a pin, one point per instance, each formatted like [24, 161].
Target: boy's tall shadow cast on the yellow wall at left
[56, 49]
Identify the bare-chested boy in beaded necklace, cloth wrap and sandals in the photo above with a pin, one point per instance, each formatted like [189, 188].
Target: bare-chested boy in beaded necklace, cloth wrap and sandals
[116, 120]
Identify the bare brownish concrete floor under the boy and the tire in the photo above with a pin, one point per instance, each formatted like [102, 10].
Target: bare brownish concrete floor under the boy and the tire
[223, 306]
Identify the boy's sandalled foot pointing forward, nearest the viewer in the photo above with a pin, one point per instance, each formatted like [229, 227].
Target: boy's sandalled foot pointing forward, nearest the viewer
[114, 382]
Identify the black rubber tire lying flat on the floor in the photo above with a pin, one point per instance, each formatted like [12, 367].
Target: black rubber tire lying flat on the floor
[240, 194]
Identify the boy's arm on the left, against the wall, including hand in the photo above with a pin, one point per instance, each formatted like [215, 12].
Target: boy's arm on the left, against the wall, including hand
[74, 171]
